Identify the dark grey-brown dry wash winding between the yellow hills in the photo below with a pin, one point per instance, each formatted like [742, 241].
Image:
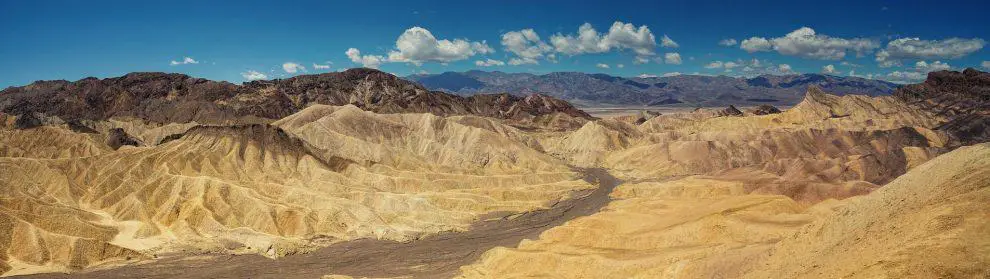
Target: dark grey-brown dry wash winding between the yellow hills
[438, 256]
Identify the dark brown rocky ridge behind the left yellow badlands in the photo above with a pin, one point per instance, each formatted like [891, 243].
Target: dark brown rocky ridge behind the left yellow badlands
[178, 98]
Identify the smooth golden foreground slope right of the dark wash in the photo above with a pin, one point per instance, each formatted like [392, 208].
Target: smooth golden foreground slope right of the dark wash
[928, 223]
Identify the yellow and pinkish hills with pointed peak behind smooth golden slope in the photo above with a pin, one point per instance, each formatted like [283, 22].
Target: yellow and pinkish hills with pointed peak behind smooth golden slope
[825, 147]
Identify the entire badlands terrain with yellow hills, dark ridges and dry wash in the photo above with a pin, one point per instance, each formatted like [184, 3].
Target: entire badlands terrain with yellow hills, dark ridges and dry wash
[361, 174]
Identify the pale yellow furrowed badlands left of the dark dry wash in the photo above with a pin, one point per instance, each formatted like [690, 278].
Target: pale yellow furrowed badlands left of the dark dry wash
[67, 201]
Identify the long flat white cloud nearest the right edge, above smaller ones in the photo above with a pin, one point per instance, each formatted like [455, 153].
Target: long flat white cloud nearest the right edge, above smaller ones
[916, 48]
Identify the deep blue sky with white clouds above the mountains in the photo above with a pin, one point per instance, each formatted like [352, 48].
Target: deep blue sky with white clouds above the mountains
[235, 41]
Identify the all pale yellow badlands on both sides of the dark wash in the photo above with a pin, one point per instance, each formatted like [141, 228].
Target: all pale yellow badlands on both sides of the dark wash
[814, 192]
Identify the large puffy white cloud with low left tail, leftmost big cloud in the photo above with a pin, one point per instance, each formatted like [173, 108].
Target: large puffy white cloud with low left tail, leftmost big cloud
[417, 46]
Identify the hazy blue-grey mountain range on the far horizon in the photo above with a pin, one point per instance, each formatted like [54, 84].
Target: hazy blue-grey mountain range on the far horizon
[688, 90]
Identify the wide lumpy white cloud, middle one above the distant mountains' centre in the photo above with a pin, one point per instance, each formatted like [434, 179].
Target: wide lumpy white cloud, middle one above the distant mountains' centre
[623, 36]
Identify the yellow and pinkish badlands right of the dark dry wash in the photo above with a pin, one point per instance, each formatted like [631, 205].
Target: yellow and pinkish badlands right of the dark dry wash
[754, 197]
